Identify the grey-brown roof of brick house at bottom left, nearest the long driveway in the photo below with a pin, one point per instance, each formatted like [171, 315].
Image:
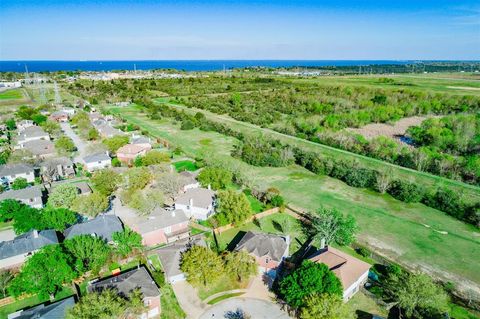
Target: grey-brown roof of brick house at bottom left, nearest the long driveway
[126, 282]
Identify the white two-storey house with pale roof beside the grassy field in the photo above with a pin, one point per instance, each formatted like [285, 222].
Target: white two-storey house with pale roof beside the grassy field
[197, 203]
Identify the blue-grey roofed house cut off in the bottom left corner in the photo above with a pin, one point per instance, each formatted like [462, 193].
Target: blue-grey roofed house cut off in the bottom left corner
[56, 310]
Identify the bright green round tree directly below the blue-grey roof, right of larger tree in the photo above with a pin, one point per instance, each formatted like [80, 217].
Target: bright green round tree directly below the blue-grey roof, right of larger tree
[89, 253]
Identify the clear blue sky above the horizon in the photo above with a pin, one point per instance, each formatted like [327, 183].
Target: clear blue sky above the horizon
[115, 30]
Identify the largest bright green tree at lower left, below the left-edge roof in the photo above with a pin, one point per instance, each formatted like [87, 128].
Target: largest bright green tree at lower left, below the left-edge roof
[44, 273]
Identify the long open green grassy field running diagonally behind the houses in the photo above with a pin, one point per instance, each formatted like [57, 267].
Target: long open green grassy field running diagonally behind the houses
[407, 233]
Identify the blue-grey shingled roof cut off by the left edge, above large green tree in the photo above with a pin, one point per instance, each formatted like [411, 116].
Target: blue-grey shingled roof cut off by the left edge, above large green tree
[27, 243]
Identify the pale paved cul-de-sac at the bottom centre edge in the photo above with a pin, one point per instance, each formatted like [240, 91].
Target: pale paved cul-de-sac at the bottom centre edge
[255, 308]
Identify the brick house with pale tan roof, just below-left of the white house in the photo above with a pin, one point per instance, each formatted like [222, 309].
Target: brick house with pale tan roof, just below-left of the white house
[161, 227]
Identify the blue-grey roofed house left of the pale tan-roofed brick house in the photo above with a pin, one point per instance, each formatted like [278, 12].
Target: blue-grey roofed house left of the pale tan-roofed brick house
[103, 226]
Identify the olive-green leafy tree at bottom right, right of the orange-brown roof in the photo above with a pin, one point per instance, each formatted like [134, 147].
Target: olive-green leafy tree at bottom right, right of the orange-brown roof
[418, 295]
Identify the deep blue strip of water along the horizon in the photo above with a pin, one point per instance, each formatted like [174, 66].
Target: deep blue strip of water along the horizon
[187, 65]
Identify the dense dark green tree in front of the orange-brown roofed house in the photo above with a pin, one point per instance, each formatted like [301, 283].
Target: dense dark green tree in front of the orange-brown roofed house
[307, 279]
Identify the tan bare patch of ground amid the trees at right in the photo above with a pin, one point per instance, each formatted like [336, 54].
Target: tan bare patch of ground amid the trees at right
[395, 130]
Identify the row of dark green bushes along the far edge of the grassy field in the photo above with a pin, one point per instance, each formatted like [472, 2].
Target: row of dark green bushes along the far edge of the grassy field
[352, 174]
